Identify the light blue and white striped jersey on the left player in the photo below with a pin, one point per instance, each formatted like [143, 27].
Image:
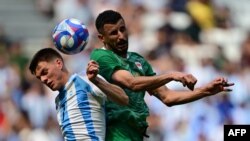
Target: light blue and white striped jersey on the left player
[80, 110]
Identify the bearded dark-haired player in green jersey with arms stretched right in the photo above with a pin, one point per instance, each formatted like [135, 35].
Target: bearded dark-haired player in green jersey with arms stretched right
[135, 75]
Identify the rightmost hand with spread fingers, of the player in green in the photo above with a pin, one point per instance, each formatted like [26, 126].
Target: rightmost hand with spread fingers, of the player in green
[218, 85]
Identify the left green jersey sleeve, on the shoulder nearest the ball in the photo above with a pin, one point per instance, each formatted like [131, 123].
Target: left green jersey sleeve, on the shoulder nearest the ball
[108, 62]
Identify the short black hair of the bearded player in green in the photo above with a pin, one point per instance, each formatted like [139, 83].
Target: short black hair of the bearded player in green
[107, 17]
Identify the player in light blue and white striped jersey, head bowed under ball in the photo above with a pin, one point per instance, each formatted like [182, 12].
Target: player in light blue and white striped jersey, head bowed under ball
[81, 99]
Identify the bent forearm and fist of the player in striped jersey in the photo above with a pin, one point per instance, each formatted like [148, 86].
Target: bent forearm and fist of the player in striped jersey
[112, 91]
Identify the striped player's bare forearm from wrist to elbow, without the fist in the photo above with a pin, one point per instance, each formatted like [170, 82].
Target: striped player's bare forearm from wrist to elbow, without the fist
[113, 92]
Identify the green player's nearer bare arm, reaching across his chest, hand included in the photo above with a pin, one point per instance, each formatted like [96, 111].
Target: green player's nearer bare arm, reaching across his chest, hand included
[126, 79]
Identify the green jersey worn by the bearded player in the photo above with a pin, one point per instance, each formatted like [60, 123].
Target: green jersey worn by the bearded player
[131, 117]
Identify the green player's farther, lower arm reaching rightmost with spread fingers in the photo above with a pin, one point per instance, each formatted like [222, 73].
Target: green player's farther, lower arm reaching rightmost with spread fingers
[170, 97]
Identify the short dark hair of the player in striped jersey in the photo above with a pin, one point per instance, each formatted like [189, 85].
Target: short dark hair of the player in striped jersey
[46, 54]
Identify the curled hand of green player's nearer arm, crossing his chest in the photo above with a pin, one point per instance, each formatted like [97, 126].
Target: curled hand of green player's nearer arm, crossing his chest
[186, 79]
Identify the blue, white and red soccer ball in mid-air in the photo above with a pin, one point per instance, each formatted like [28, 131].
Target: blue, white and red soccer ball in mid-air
[70, 36]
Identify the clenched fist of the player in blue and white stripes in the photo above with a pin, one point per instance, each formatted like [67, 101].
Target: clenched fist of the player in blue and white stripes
[92, 70]
